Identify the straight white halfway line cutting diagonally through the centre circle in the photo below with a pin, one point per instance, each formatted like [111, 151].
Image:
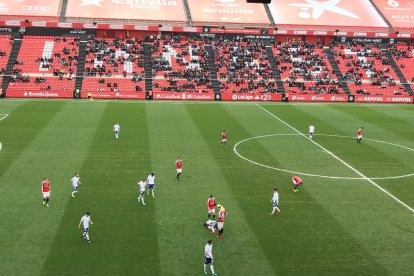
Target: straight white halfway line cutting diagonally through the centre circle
[340, 160]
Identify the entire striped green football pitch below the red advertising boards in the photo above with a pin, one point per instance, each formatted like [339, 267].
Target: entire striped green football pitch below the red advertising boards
[353, 215]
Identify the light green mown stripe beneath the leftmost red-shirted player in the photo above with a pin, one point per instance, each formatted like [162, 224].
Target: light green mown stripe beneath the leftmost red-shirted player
[54, 152]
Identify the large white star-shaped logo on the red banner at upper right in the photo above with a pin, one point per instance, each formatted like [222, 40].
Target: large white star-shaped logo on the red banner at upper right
[318, 9]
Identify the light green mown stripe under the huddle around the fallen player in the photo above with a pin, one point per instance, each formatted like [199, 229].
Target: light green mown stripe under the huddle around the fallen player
[186, 212]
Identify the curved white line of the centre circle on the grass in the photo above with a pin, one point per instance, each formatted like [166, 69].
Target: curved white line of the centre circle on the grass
[317, 175]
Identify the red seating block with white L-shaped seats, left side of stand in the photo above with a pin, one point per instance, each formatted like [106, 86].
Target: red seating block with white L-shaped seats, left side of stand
[45, 63]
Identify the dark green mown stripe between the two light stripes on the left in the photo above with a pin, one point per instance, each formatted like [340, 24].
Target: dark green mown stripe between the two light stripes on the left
[124, 234]
